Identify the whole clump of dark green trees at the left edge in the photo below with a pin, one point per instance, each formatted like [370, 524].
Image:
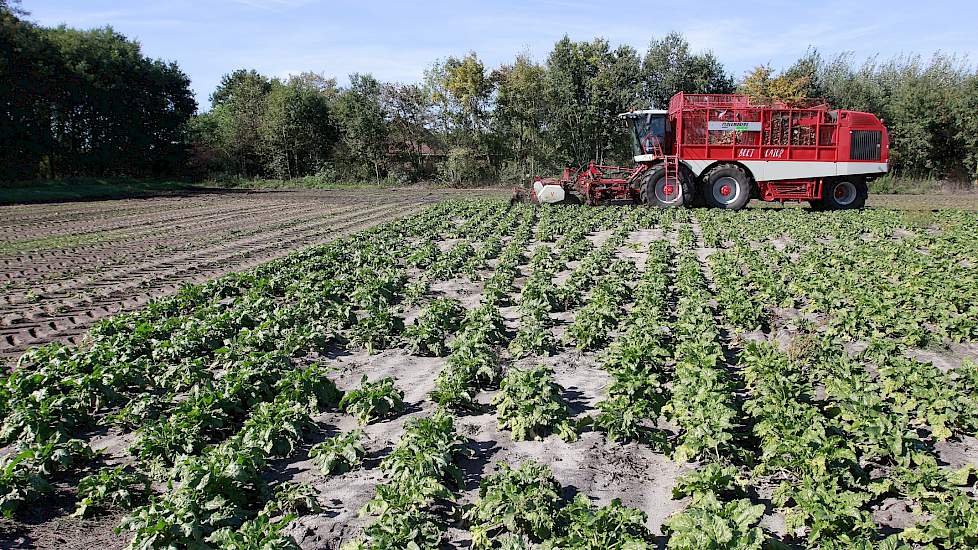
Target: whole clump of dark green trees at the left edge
[86, 103]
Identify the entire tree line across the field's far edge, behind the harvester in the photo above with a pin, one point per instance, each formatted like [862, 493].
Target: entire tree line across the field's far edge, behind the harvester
[90, 103]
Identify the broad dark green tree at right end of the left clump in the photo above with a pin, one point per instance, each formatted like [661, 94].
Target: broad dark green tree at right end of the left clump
[119, 112]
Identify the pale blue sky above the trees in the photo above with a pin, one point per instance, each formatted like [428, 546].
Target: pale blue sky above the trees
[397, 40]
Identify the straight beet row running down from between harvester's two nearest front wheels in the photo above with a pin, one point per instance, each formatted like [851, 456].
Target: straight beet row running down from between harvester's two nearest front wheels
[720, 514]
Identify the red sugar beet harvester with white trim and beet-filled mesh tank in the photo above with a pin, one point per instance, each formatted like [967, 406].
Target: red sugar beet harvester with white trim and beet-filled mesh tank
[722, 150]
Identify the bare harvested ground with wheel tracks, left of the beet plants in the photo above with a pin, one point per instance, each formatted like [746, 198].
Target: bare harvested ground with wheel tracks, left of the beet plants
[65, 266]
